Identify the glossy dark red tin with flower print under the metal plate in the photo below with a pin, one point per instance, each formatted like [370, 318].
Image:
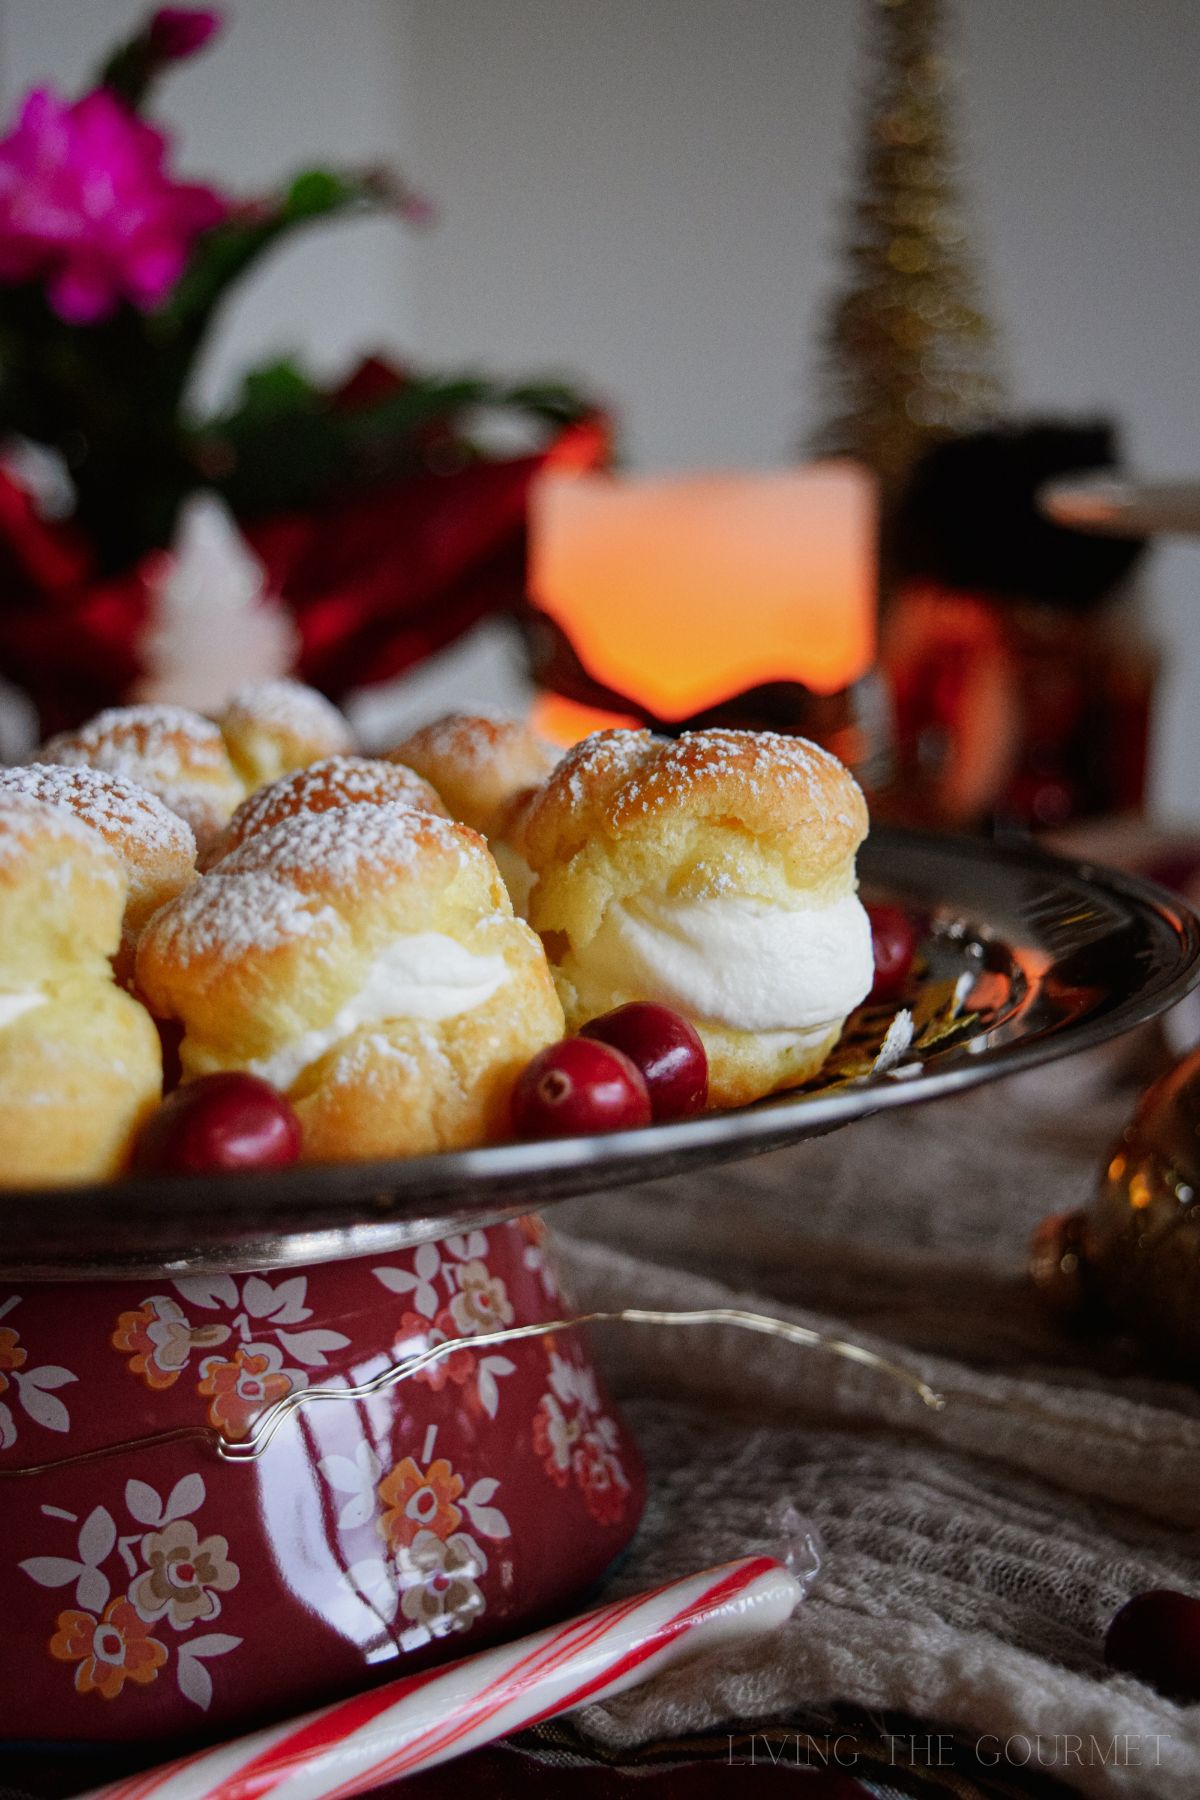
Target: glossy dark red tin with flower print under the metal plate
[174, 1565]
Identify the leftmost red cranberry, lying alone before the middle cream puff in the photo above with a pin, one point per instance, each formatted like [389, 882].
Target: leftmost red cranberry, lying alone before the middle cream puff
[220, 1122]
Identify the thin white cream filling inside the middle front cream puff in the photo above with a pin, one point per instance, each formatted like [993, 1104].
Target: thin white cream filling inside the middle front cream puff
[425, 975]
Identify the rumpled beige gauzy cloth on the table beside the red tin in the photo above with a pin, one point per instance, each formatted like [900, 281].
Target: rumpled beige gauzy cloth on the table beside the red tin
[972, 1556]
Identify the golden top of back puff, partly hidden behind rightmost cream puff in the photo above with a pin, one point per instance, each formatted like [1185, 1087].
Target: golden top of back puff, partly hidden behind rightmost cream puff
[479, 764]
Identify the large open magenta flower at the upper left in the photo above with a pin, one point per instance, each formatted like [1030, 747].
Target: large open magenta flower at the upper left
[85, 206]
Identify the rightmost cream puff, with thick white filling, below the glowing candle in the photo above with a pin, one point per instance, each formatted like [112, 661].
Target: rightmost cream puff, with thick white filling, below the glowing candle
[713, 874]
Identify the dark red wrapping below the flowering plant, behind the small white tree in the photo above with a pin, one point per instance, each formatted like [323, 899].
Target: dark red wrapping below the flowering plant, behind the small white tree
[377, 580]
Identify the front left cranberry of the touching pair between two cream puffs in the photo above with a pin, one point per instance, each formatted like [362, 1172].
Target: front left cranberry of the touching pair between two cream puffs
[578, 1086]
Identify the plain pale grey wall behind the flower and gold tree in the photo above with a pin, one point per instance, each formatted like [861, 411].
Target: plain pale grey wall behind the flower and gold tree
[645, 193]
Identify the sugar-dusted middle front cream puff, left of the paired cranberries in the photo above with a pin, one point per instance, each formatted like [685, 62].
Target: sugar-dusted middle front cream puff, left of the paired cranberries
[366, 962]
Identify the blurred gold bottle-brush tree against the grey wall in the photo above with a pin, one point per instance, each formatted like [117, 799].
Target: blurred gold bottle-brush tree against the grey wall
[909, 350]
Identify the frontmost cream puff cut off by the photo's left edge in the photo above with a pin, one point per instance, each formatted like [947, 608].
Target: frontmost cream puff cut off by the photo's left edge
[80, 1059]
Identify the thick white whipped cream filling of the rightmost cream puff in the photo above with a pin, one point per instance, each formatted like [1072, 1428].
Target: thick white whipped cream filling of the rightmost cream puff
[730, 960]
